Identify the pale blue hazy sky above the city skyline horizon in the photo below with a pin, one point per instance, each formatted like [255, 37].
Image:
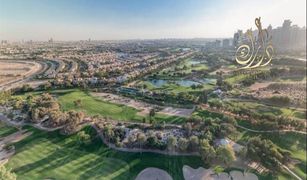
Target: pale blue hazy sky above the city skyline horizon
[39, 20]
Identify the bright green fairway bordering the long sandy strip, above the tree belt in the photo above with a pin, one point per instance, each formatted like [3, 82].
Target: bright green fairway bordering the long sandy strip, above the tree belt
[96, 106]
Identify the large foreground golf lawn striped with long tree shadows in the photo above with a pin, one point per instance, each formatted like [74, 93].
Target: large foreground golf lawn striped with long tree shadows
[51, 155]
